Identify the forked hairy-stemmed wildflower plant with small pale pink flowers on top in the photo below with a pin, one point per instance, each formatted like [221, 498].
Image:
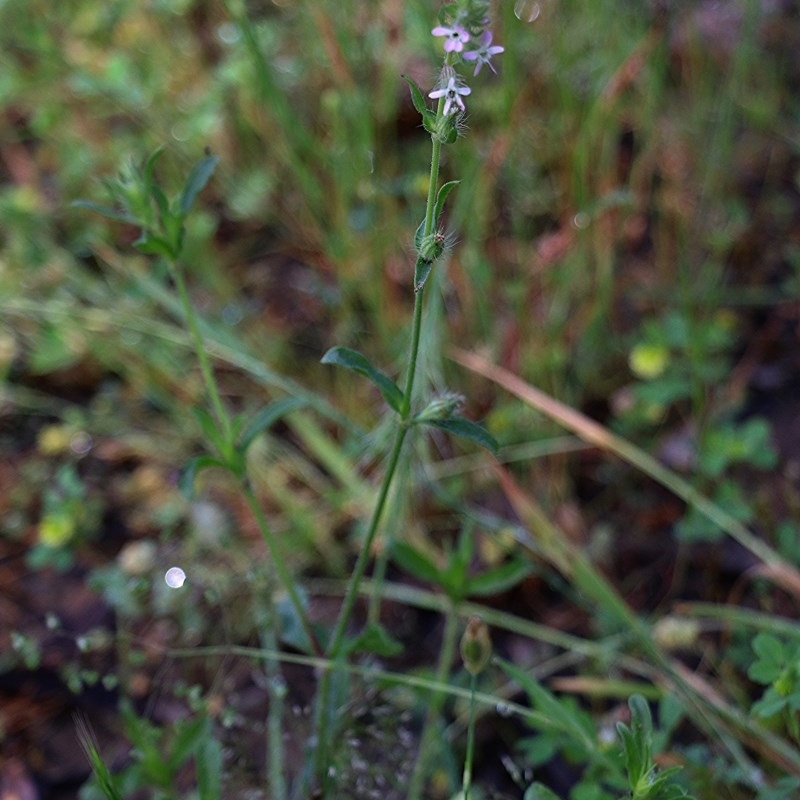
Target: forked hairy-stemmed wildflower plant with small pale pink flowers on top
[137, 199]
